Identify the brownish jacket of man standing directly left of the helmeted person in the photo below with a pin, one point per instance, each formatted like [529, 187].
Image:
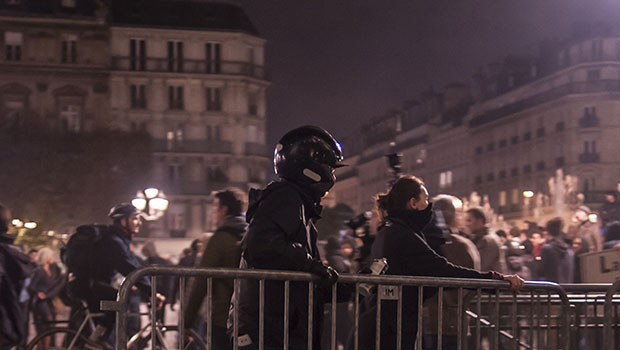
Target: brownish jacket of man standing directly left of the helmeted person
[222, 250]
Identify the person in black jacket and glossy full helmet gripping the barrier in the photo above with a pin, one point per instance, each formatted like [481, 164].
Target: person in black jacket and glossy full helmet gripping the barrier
[281, 236]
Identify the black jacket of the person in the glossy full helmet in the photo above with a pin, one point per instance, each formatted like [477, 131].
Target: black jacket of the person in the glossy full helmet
[280, 236]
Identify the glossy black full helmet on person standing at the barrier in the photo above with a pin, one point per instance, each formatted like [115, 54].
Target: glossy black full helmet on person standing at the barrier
[308, 155]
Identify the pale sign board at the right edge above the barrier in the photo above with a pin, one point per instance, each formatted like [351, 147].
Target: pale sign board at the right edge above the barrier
[600, 267]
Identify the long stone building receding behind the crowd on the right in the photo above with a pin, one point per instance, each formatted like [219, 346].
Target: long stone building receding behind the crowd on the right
[507, 132]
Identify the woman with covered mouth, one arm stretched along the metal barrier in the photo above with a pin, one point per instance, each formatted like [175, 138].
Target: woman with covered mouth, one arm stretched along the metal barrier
[402, 243]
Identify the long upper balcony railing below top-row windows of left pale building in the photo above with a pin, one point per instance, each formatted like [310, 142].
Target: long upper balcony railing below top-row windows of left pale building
[188, 66]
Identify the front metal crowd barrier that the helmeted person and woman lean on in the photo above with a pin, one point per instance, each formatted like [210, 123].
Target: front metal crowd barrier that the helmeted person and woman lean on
[538, 318]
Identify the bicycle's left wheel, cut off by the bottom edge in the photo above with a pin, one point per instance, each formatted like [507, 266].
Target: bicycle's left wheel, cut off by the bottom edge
[60, 339]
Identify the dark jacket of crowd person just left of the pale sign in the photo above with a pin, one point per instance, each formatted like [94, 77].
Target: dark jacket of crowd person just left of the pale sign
[556, 262]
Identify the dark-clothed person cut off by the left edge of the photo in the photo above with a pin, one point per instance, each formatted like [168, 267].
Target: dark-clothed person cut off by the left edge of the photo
[15, 267]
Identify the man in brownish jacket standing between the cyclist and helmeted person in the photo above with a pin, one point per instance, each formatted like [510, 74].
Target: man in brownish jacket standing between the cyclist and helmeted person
[222, 250]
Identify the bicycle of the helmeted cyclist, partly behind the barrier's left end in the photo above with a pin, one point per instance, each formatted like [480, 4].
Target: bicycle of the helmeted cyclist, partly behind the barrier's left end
[66, 338]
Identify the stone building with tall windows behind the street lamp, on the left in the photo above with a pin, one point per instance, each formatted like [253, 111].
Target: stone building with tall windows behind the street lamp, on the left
[189, 73]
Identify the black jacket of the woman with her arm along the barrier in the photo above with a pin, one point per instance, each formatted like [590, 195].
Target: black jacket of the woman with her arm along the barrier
[407, 253]
